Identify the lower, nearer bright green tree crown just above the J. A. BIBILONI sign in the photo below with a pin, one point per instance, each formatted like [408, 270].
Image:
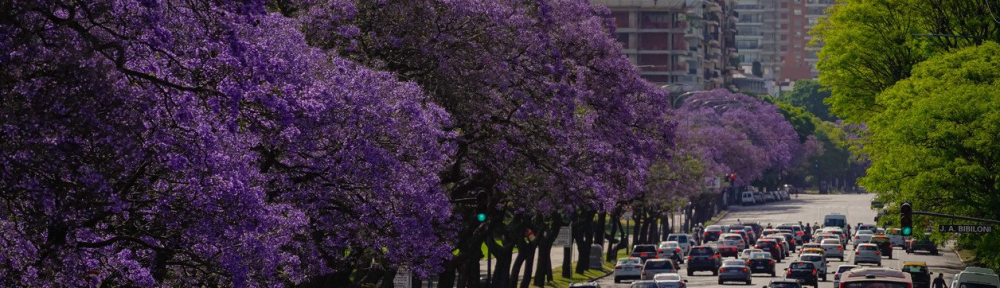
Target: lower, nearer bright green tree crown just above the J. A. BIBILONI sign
[936, 142]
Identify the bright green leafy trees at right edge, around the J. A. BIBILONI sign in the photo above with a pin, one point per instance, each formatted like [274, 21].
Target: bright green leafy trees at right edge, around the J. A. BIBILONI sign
[922, 77]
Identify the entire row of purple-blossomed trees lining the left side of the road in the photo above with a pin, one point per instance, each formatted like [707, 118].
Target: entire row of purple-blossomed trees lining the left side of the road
[330, 143]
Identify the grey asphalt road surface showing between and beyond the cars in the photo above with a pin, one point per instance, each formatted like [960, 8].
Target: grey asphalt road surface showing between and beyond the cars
[811, 209]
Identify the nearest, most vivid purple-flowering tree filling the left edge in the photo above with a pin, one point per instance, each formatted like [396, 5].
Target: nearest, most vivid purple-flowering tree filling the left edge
[204, 143]
